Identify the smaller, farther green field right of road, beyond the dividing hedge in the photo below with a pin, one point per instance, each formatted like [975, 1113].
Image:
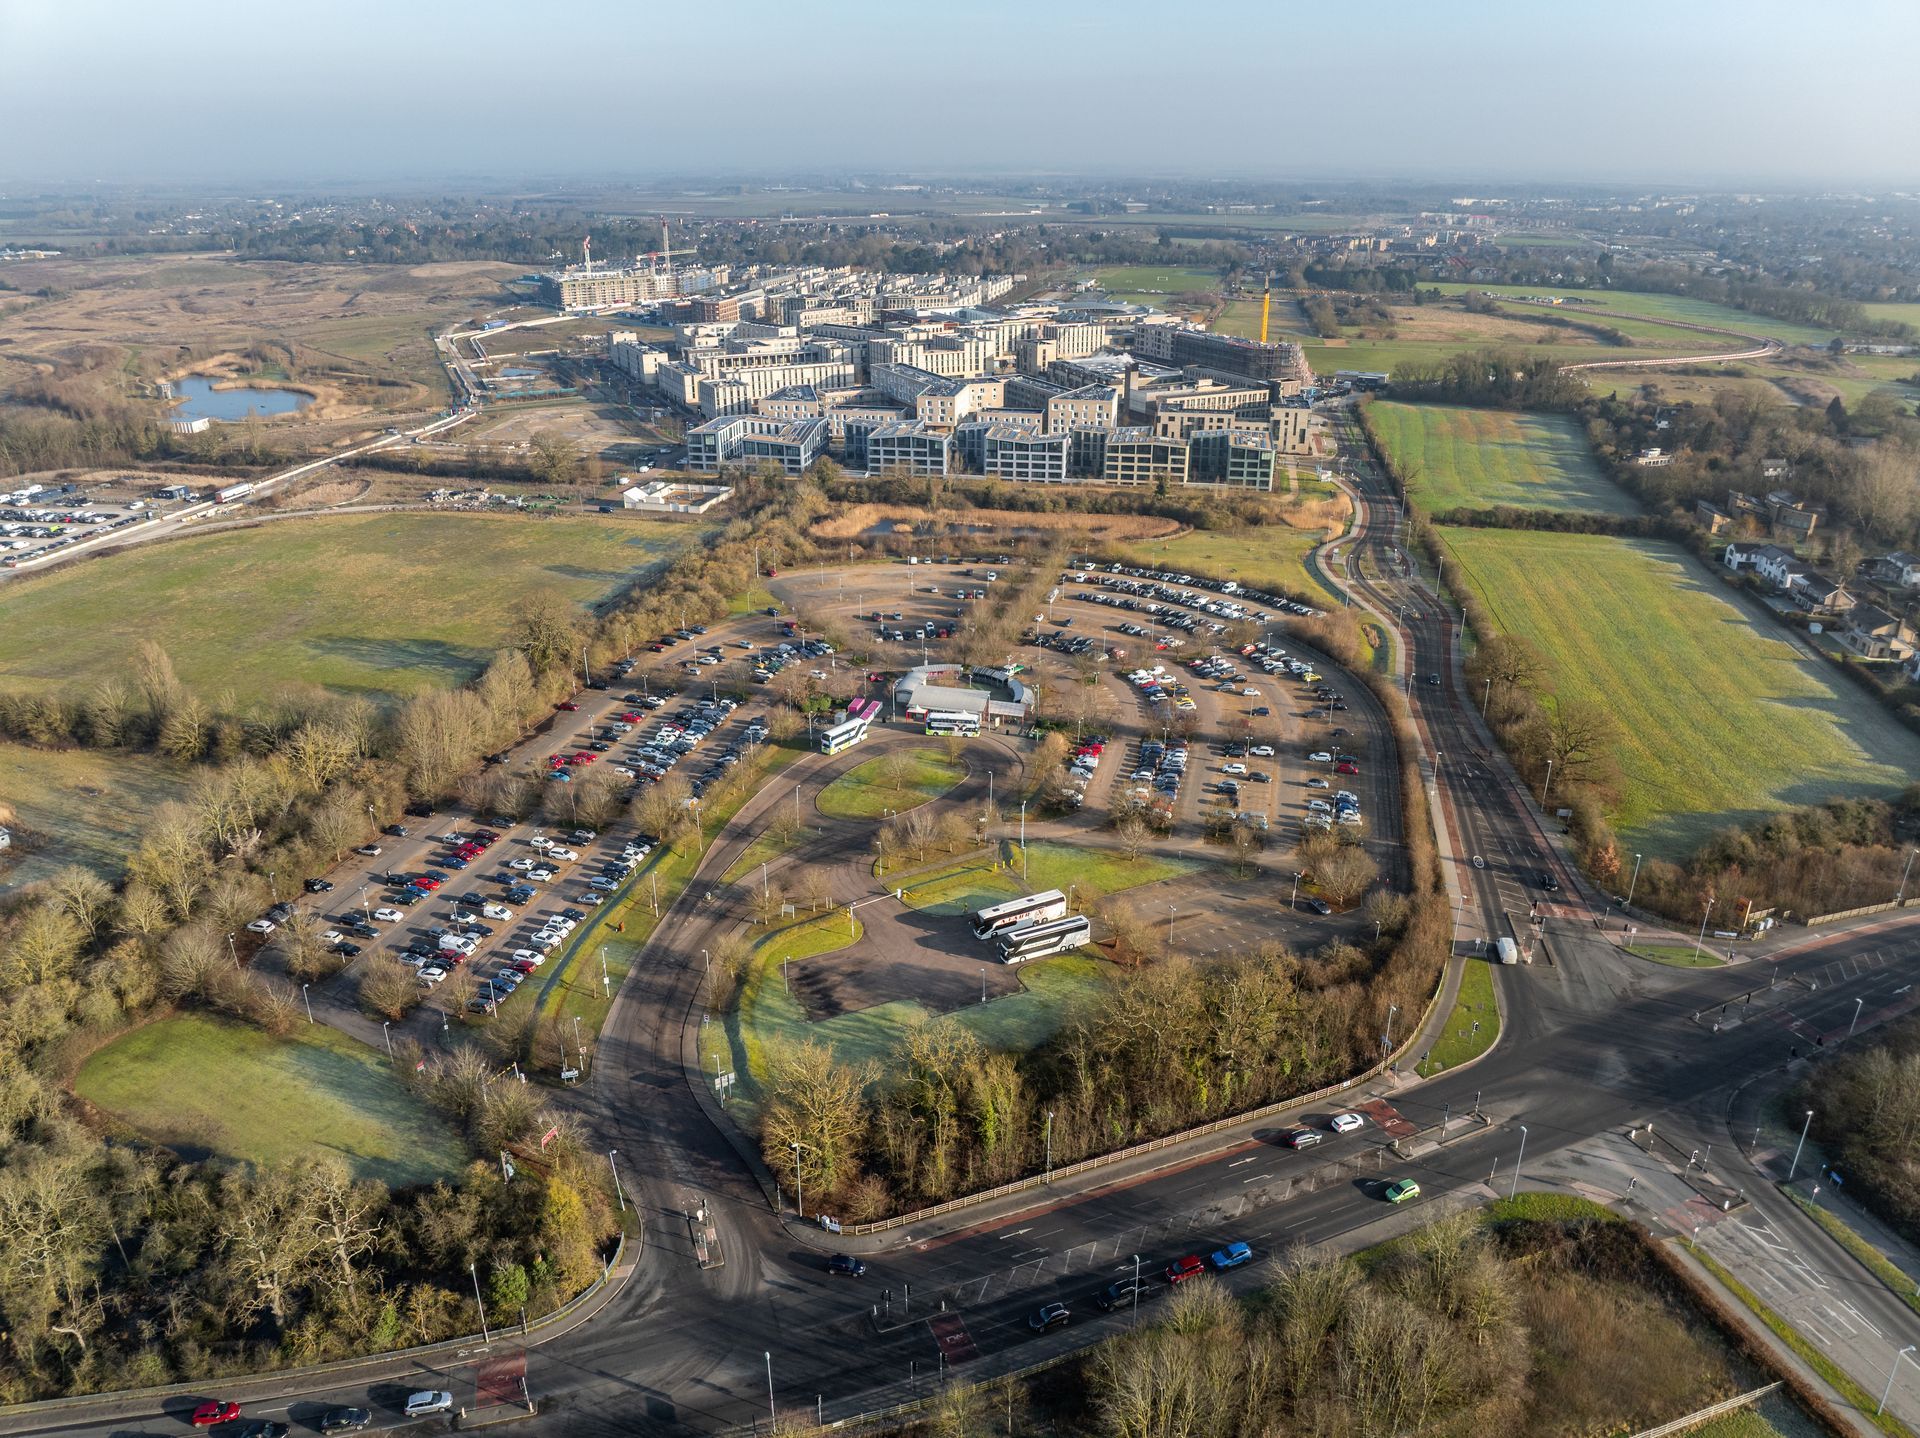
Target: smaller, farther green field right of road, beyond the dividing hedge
[1479, 458]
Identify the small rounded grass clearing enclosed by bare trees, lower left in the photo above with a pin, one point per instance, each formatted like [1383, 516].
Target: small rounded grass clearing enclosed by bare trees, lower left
[216, 1090]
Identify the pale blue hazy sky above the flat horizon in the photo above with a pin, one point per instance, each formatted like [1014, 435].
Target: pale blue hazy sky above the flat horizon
[1641, 91]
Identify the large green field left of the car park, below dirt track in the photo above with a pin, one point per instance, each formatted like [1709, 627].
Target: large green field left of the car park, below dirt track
[368, 604]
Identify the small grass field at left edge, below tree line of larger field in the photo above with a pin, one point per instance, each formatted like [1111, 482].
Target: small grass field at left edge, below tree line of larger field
[78, 807]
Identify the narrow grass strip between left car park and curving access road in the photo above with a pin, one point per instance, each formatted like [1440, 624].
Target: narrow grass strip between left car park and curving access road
[627, 923]
